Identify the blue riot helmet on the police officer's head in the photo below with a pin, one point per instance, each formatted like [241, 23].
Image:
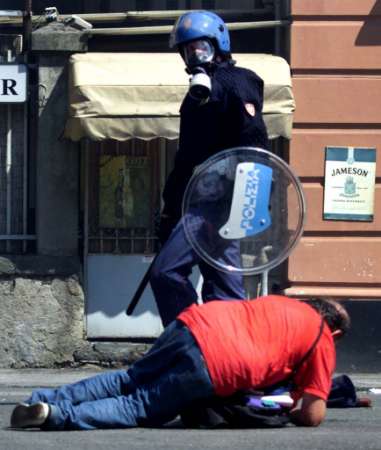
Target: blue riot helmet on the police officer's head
[200, 24]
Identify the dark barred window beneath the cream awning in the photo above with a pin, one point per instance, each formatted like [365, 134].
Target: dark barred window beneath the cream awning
[122, 196]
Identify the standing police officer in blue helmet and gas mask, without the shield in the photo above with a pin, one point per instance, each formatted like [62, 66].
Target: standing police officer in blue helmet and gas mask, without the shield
[222, 109]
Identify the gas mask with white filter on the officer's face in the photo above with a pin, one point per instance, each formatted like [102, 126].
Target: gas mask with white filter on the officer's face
[197, 56]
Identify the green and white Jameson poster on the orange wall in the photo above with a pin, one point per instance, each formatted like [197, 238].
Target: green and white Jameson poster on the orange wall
[349, 185]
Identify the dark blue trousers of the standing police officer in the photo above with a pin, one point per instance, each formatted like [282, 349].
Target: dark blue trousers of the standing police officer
[170, 273]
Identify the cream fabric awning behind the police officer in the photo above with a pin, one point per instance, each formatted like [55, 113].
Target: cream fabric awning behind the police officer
[138, 95]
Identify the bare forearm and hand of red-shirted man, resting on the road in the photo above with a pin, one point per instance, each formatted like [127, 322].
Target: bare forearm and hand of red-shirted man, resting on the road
[310, 413]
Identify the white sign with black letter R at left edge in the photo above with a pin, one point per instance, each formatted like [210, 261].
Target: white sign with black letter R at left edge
[13, 83]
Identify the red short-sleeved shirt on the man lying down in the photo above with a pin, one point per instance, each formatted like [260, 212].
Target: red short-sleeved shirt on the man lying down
[254, 344]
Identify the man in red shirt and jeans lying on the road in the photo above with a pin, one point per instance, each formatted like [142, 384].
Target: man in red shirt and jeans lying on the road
[217, 348]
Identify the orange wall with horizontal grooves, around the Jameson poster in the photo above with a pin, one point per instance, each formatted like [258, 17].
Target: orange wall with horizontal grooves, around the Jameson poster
[335, 56]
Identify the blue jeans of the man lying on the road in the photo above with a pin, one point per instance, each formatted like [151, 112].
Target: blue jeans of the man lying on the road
[152, 392]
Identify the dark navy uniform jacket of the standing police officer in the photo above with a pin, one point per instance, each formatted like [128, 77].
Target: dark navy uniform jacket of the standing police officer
[226, 120]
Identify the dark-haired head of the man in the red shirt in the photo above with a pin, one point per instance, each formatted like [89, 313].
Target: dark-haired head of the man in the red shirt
[332, 312]
